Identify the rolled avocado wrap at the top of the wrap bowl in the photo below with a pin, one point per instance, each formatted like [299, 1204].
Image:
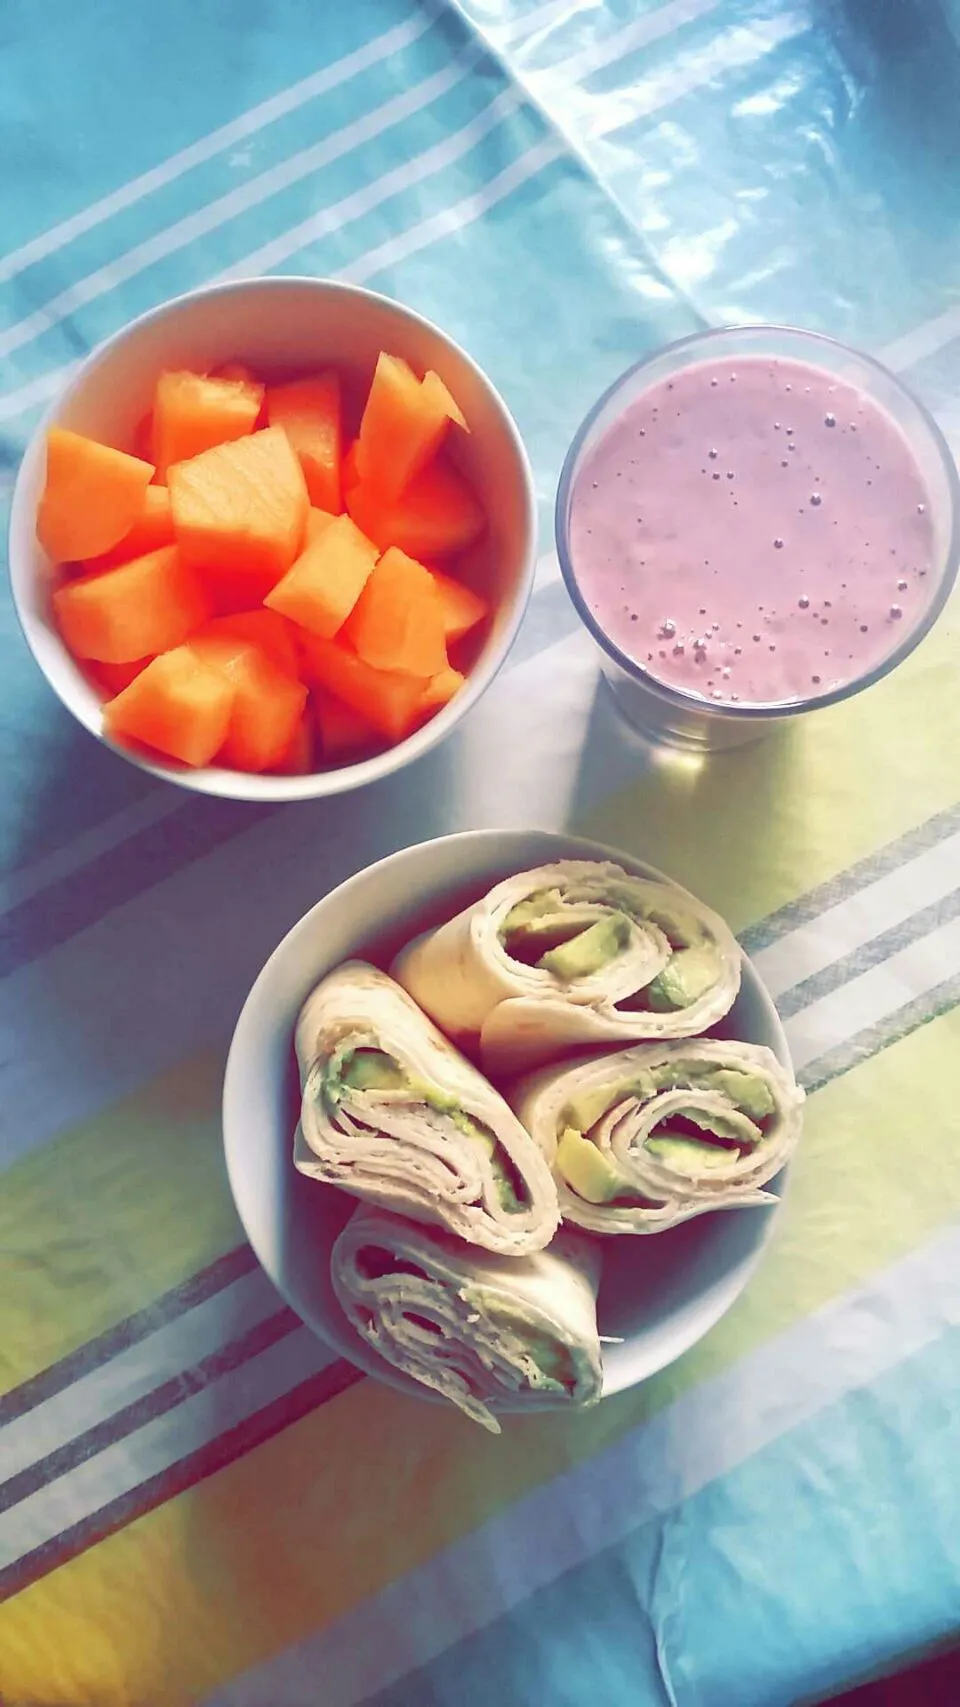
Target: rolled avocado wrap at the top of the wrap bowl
[570, 957]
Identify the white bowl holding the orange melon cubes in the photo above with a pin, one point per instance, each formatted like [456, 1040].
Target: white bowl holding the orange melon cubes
[281, 327]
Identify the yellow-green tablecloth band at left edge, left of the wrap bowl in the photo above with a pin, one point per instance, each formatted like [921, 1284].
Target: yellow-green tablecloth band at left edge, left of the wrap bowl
[100, 1223]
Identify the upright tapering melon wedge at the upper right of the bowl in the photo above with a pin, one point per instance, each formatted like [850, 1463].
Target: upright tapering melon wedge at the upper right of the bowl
[404, 424]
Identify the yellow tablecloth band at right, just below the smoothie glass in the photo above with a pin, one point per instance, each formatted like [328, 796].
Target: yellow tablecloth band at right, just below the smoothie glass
[752, 829]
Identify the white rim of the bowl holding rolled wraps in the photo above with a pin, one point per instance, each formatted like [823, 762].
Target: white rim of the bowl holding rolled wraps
[233, 1097]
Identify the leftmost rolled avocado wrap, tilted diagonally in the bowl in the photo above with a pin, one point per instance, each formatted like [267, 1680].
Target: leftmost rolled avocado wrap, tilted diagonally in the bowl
[395, 1116]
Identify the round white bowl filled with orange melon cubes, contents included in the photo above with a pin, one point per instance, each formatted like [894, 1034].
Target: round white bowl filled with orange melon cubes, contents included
[274, 540]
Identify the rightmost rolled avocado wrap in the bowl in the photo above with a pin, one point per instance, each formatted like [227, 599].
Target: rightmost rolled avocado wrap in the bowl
[653, 1136]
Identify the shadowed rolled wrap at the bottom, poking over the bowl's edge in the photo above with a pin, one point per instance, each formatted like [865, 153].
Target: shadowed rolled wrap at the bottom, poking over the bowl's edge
[476, 1329]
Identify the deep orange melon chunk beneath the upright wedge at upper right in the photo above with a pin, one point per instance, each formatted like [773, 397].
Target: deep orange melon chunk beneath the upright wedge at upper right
[435, 516]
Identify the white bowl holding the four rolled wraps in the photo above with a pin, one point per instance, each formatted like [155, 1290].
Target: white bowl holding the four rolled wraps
[660, 1295]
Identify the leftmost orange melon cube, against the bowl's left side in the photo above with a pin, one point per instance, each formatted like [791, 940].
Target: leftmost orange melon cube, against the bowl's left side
[91, 498]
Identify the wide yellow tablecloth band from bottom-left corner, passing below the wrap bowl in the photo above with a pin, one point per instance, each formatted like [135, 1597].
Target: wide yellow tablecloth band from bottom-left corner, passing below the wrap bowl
[325, 1515]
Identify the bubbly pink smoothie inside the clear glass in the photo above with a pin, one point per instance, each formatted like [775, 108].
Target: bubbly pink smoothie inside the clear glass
[754, 532]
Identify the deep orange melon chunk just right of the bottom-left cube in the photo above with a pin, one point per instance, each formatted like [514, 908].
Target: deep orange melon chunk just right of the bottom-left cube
[267, 702]
